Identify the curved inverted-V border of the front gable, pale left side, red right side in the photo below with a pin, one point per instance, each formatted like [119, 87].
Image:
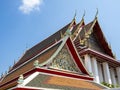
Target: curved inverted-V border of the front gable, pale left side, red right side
[67, 40]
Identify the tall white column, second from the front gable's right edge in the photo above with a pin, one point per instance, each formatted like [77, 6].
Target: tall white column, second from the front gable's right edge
[95, 69]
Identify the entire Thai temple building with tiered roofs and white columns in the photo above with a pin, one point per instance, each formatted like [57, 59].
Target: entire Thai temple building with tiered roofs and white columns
[76, 57]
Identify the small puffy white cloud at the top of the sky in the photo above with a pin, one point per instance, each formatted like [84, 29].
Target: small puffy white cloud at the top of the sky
[30, 5]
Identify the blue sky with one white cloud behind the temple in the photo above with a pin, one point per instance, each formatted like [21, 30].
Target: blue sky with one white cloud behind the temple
[24, 23]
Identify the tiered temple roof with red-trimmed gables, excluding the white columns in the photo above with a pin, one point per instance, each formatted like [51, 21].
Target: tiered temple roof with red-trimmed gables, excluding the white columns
[45, 52]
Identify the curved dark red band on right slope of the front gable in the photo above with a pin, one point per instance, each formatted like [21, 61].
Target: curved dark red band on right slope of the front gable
[76, 57]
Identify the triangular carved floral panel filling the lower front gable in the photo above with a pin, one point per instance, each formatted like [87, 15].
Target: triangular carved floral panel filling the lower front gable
[64, 61]
